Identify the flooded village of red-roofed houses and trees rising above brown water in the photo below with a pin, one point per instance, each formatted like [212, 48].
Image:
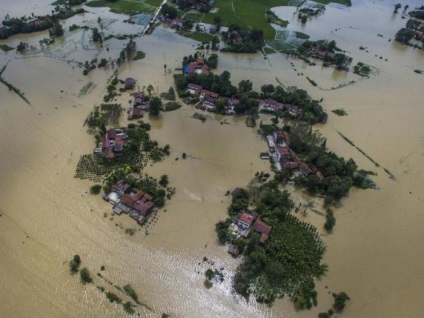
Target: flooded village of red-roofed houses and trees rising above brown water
[279, 254]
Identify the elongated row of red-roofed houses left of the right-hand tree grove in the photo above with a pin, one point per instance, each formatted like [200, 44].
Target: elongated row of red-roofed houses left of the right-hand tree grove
[285, 158]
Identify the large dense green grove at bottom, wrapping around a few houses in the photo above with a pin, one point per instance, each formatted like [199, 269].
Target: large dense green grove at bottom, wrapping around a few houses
[288, 261]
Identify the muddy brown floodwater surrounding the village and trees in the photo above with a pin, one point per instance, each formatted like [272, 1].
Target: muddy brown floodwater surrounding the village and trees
[375, 254]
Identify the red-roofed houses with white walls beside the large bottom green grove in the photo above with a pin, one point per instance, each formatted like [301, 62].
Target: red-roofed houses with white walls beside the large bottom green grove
[243, 224]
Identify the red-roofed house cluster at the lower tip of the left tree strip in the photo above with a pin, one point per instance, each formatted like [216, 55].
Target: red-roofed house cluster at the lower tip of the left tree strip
[126, 199]
